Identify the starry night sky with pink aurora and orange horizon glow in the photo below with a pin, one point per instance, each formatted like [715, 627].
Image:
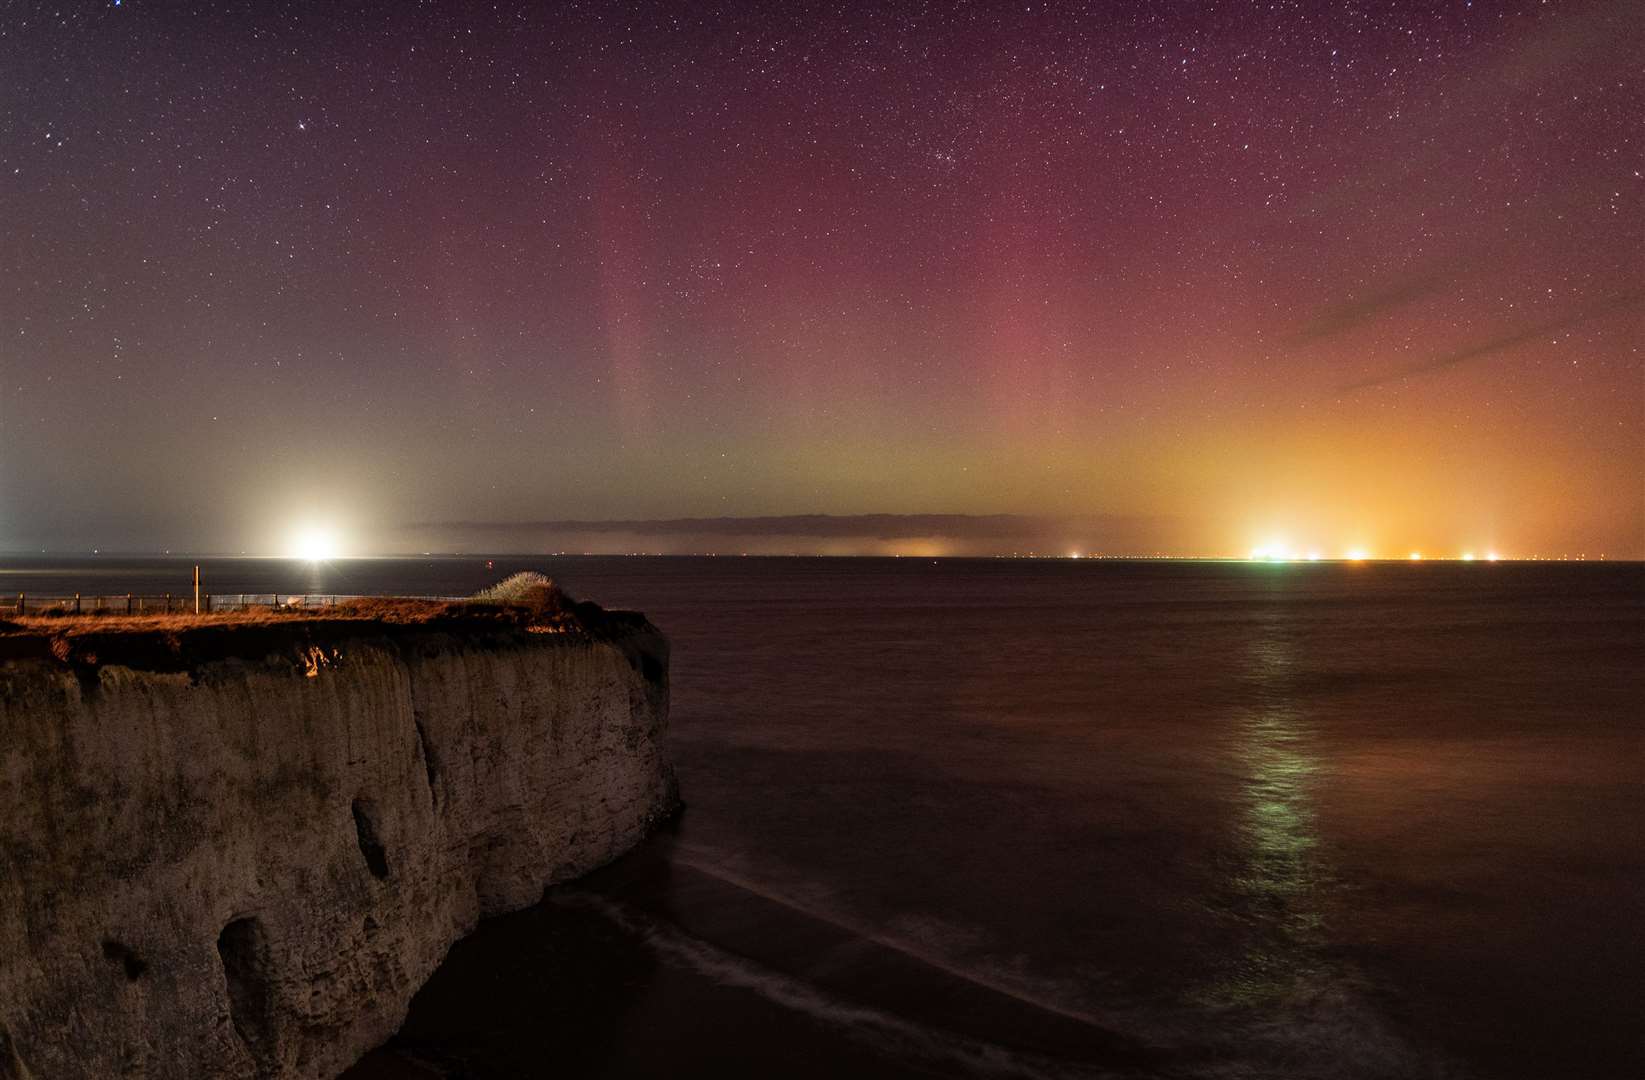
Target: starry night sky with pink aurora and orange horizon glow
[1317, 275]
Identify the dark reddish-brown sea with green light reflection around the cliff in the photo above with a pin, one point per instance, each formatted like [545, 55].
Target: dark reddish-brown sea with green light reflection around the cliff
[1044, 819]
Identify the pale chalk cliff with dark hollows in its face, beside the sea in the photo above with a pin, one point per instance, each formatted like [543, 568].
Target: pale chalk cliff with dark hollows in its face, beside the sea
[246, 865]
